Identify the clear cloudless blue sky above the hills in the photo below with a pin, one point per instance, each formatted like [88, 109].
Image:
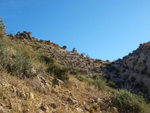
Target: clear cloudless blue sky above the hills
[104, 29]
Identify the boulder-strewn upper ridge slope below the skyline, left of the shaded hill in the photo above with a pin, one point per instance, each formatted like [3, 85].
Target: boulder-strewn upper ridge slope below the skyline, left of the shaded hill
[71, 59]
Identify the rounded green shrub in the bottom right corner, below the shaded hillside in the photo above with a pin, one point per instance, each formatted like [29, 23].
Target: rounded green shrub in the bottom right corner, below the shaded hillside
[125, 100]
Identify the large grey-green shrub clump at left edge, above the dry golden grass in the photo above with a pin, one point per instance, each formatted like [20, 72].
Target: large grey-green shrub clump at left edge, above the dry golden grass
[20, 65]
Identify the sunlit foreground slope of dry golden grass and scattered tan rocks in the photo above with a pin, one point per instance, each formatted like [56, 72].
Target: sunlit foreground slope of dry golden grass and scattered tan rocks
[48, 95]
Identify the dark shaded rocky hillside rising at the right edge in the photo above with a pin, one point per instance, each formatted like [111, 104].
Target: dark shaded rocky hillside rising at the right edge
[133, 71]
